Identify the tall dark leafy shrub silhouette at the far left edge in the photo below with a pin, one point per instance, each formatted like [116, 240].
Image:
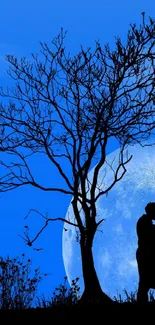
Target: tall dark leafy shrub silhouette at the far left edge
[17, 288]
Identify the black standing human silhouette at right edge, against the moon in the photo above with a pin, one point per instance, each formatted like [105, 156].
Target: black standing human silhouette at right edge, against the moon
[145, 253]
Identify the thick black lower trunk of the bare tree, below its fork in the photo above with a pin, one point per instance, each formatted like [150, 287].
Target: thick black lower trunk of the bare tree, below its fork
[92, 289]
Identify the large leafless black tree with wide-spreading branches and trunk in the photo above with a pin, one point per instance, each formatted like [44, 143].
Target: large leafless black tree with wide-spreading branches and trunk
[69, 108]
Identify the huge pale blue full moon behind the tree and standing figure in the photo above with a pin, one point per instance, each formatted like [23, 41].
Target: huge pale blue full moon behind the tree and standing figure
[115, 242]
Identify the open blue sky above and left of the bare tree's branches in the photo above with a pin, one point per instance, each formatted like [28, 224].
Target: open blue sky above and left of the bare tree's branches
[22, 25]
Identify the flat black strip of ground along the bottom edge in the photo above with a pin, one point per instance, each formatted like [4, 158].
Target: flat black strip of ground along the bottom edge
[101, 314]
